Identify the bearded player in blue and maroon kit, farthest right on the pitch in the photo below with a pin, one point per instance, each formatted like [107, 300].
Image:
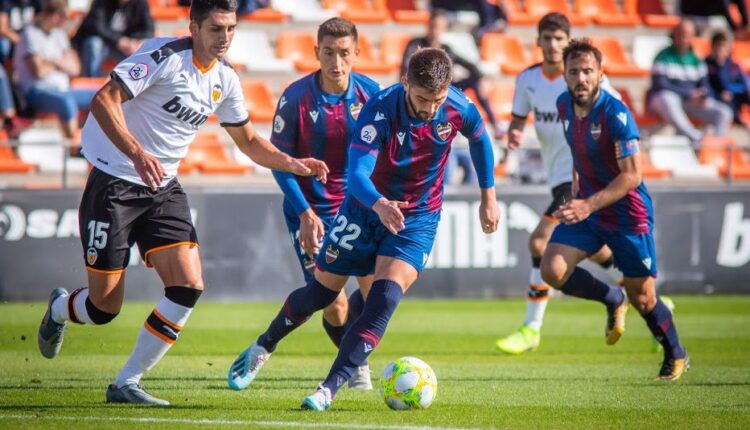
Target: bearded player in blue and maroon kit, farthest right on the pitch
[612, 206]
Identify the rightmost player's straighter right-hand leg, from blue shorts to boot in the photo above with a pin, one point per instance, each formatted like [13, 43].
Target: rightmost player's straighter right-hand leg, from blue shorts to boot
[637, 259]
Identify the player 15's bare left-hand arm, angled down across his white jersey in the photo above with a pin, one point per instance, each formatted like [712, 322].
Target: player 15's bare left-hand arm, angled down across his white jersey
[107, 109]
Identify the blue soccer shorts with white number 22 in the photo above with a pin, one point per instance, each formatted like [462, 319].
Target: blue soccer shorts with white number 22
[357, 237]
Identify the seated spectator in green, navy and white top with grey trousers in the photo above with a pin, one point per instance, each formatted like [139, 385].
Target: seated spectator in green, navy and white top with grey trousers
[679, 87]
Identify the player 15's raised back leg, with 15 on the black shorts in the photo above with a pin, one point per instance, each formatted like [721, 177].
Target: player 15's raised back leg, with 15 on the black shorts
[104, 227]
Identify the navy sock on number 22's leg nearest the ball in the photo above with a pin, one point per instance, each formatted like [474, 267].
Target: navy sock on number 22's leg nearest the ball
[365, 333]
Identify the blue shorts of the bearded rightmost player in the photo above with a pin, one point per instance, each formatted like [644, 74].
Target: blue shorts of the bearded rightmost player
[635, 254]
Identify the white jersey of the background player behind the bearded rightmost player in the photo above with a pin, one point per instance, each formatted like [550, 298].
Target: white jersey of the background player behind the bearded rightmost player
[534, 92]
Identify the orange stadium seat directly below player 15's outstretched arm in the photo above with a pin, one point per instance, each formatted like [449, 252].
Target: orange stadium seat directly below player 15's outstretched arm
[208, 155]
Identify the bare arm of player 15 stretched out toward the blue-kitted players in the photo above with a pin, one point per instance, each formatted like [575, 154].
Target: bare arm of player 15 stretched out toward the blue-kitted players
[264, 153]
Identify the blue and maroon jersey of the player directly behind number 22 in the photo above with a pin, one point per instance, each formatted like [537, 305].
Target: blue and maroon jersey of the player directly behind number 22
[310, 123]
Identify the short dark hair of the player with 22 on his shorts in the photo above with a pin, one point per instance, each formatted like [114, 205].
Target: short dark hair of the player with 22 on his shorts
[430, 68]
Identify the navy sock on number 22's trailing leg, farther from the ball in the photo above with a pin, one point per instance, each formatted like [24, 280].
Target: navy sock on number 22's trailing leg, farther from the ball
[298, 307]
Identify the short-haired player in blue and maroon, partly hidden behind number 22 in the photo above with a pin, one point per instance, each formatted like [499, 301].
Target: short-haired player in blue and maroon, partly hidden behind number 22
[314, 118]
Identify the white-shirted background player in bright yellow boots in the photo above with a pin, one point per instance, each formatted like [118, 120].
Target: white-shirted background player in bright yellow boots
[536, 90]
